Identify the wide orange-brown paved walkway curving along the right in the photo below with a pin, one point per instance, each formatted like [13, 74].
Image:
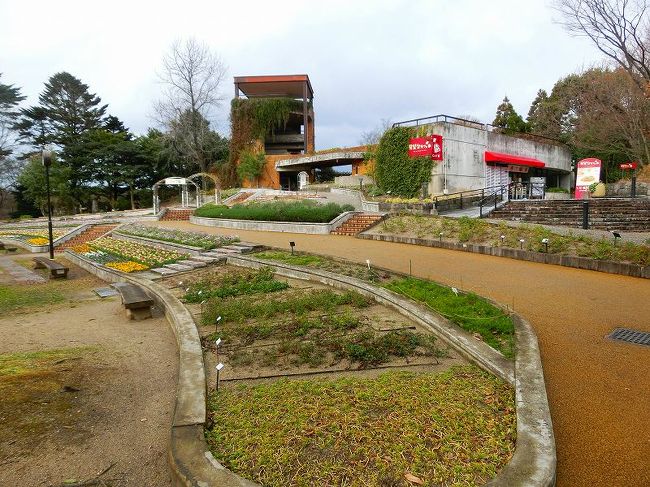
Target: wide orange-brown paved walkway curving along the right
[599, 390]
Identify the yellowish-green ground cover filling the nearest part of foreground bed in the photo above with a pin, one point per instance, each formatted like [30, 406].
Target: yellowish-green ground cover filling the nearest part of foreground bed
[457, 427]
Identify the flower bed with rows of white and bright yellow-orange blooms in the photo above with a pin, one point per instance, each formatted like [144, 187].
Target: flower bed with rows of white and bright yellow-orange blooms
[126, 256]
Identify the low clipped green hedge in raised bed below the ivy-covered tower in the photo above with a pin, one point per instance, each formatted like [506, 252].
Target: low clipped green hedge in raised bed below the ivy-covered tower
[280, 211]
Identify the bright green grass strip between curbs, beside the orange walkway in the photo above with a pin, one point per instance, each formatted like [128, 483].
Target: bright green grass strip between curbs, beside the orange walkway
[469, 311]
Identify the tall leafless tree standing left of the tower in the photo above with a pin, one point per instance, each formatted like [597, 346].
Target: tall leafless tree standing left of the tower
[193, 76]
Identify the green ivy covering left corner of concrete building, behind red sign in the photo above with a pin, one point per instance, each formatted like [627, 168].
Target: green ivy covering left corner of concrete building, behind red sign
[395, 171]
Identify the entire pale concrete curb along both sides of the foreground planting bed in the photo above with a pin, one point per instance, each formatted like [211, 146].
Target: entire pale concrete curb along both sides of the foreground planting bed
[192, 464]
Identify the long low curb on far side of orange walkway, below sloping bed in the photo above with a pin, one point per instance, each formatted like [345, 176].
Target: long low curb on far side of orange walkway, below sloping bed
[611, 267]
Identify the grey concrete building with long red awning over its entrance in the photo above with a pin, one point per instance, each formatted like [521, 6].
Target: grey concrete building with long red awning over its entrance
[477, 156]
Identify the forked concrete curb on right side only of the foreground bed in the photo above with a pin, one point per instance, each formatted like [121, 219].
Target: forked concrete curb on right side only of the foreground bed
[534, 460]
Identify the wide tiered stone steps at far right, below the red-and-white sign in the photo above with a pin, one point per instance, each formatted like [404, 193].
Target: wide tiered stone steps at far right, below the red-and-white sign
[626, 214]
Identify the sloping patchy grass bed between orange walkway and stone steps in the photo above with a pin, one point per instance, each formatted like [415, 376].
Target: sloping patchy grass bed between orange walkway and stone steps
[474, 230]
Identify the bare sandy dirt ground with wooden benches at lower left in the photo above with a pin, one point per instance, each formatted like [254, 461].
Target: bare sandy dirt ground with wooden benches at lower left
[103, 415]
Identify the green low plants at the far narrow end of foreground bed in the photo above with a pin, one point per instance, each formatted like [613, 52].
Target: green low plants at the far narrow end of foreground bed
[234, 283]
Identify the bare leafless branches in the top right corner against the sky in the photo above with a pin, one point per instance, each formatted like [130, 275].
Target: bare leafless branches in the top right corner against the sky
[618, 28]
